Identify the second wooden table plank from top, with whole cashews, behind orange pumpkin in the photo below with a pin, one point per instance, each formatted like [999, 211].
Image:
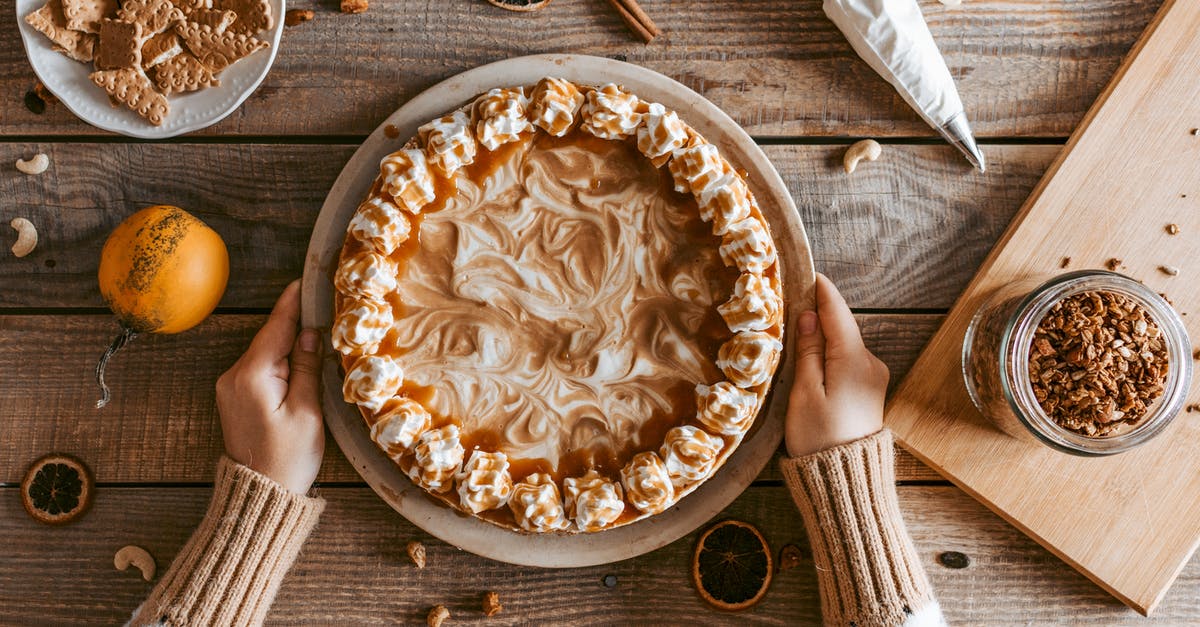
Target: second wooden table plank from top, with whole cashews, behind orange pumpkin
[907, 231]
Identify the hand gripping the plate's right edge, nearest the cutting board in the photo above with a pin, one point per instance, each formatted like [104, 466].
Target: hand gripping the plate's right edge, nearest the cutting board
[839, 389]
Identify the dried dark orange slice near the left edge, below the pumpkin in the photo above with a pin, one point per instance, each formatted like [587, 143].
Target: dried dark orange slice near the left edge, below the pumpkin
[57, 489]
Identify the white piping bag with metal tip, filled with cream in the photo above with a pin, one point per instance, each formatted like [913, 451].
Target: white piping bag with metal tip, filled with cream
[893, 39]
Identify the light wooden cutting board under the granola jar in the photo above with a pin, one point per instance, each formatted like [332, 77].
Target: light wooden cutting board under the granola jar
[1130, 522]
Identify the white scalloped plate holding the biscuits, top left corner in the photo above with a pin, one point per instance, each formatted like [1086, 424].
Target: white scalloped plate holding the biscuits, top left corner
[68, 80]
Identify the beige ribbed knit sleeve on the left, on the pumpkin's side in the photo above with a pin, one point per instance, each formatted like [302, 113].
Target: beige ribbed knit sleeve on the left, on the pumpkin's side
[231, 570]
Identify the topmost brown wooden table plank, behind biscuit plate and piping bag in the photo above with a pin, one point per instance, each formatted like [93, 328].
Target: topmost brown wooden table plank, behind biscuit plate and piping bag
[1024, 68]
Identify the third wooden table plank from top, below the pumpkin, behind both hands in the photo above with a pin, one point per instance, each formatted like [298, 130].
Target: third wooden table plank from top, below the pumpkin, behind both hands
[163, 425]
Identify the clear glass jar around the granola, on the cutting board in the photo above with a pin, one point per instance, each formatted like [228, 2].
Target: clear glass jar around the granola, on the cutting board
[997, 361]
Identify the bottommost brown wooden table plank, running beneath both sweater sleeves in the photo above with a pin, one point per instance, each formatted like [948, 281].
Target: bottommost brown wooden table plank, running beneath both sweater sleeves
[355, 570]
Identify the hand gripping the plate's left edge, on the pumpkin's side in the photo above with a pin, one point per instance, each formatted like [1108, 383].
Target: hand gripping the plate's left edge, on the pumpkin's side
[271, 402]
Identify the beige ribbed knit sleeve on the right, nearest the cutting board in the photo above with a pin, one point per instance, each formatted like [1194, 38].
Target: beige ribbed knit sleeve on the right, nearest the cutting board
[868, 570]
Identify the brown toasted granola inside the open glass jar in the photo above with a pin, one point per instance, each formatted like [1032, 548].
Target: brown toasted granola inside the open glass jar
[1097, 363]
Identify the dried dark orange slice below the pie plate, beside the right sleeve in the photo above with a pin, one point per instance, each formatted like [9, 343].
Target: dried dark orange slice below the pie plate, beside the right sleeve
[731, 568]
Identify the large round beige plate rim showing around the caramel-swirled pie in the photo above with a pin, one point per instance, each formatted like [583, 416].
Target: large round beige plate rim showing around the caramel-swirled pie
[471, 534]
